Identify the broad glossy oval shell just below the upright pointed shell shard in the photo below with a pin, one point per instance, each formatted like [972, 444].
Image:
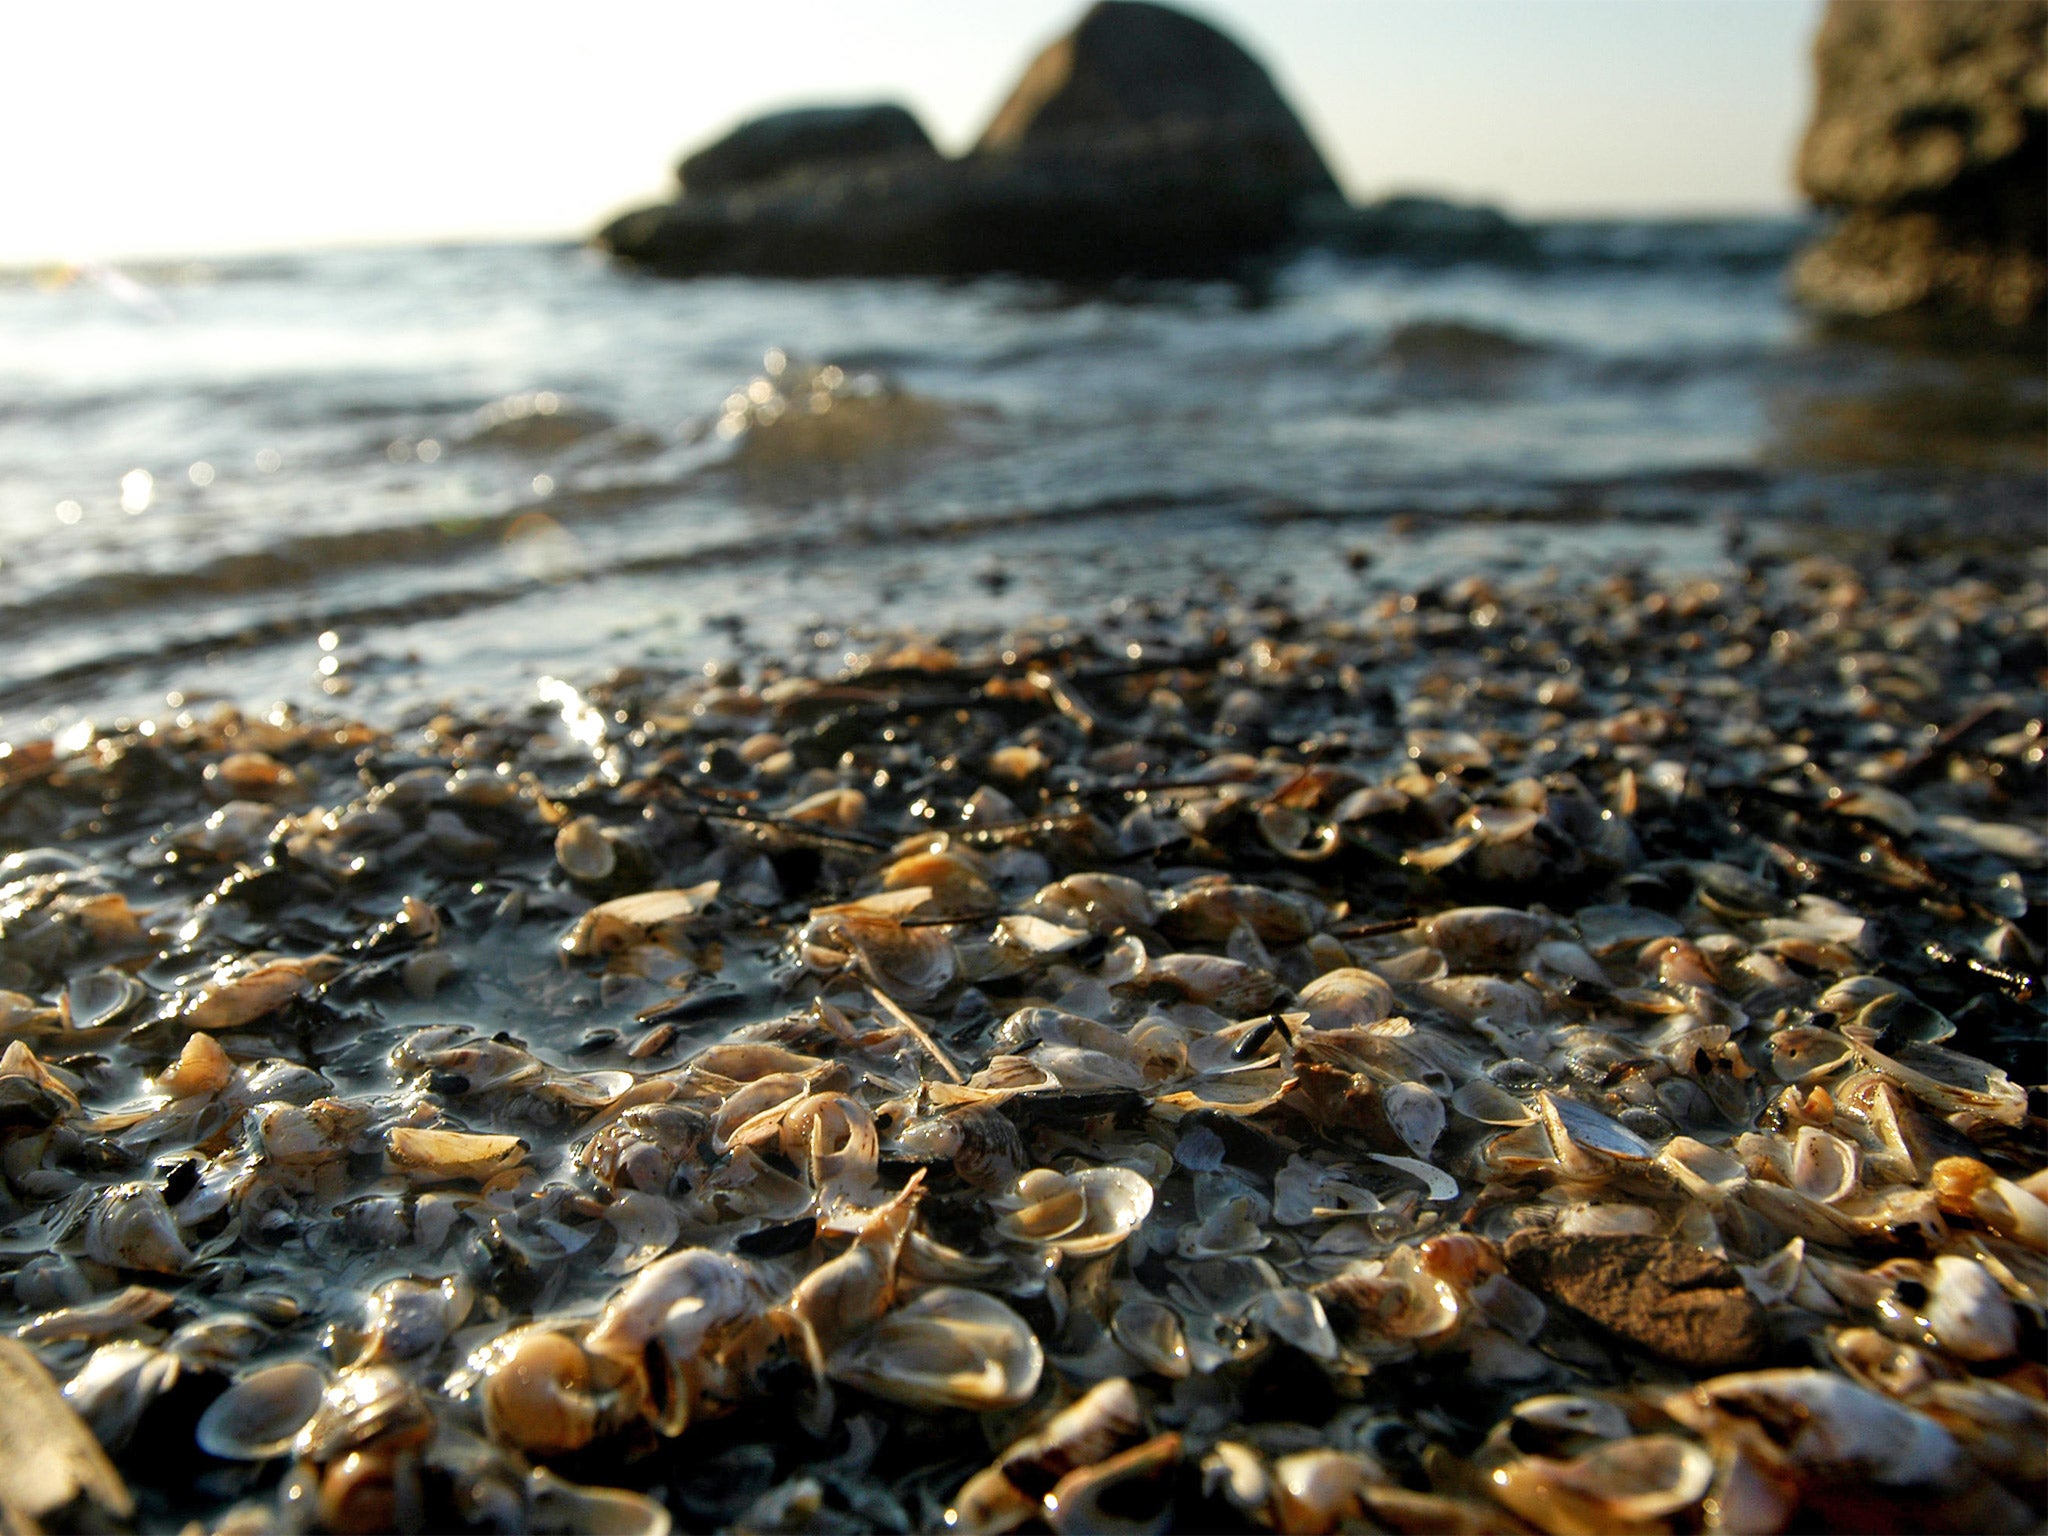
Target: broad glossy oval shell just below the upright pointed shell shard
[947, 1349]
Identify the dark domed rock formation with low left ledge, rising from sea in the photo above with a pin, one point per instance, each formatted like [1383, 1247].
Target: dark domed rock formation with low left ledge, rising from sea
[1142, 144]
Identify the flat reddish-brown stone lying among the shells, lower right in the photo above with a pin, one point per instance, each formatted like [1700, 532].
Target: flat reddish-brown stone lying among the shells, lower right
[1662, 1295]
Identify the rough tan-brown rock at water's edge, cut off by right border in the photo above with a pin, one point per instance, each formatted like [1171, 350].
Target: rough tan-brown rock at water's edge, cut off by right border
[1930, 136]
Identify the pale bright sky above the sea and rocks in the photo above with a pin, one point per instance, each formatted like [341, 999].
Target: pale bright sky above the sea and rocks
[222, 126]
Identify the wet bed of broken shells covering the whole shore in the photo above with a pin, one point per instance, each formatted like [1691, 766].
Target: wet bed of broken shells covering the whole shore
[1514, 1058]
